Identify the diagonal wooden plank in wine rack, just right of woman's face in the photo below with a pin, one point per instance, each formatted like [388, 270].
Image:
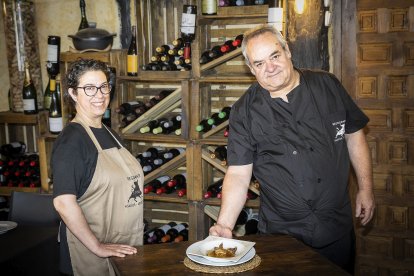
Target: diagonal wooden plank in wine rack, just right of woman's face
[168, 104]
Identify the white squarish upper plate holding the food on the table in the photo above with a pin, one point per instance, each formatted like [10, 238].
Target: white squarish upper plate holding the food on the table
[201, 248]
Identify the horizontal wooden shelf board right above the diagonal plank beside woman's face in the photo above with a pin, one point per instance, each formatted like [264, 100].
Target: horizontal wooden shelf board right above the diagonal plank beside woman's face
[163, 76]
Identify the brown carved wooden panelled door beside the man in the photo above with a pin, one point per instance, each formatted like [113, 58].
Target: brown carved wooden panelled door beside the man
[377, 55]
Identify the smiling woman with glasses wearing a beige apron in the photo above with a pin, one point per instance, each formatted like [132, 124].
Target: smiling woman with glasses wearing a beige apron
[97, 182]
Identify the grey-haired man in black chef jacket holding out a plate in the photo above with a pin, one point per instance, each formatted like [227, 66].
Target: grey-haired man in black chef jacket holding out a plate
[297, 131]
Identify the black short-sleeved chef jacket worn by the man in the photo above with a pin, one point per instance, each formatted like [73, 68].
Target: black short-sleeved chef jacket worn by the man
[299, 155]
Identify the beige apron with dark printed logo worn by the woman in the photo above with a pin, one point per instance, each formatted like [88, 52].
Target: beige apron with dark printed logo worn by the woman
[112, 205]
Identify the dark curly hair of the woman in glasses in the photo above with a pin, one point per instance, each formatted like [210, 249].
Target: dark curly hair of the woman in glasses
[76, 70]
